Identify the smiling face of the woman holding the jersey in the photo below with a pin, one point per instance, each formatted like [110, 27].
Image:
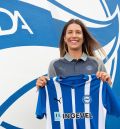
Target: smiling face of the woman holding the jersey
[74, 37]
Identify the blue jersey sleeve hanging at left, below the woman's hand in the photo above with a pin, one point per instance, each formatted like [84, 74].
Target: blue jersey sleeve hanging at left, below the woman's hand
[41, 103]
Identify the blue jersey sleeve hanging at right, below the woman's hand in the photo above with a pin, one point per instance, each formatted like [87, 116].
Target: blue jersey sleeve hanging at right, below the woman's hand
[111, 101]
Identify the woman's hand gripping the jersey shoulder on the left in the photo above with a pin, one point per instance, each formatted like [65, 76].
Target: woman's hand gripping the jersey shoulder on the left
[41, 81]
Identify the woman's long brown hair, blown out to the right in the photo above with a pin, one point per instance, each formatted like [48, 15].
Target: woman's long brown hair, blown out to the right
[89, 44]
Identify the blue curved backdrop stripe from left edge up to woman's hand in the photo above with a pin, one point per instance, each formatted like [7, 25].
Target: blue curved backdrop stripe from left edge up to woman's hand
[16, 96]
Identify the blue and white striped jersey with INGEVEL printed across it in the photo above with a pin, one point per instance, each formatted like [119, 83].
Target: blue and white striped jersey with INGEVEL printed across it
[76, 102]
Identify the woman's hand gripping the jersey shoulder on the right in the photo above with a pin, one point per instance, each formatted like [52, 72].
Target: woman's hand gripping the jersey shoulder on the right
[104, 77]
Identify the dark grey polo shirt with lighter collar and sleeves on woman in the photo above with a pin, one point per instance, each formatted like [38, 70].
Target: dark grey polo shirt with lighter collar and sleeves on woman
[67, 66]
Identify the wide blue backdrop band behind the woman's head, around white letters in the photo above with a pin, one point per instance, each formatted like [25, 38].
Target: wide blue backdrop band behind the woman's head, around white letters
[46, 29]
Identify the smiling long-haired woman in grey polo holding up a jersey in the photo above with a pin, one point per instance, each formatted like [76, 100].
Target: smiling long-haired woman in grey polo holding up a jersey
[77, 55]
